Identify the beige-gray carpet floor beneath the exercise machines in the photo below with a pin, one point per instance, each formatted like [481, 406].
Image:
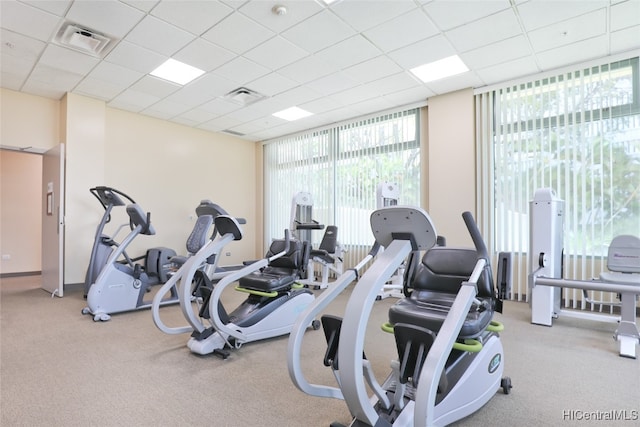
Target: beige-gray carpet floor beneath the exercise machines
[59, 368]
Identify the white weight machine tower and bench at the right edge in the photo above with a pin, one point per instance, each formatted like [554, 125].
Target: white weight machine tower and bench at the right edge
[545, 280]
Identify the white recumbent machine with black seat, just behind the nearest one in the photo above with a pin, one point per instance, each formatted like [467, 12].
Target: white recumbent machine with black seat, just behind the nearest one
[270, 309]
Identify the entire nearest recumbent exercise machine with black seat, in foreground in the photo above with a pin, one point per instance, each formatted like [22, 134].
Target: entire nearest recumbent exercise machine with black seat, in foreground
[450, 359]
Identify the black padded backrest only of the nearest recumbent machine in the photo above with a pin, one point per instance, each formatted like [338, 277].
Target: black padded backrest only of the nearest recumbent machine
[443, 269]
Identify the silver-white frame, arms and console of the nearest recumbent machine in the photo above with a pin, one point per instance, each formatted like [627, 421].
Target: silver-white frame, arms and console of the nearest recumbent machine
[391, 227]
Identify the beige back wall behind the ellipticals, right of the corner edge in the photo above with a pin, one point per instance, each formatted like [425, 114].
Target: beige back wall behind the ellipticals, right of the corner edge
[168, 169]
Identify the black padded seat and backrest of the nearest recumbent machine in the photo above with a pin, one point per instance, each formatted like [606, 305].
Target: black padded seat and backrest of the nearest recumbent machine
[435, 285]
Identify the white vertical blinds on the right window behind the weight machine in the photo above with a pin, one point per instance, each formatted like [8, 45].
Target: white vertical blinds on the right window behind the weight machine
[577, 132]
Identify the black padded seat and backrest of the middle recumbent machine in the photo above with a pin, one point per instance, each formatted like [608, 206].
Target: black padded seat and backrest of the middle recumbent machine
[281, 272]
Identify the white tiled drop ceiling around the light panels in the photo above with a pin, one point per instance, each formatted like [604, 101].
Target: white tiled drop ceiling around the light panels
[337, 61]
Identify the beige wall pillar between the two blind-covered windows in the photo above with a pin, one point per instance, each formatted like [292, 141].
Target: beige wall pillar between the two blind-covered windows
[451, 164]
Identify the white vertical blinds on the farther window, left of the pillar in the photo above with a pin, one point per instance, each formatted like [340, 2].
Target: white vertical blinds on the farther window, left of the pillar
[340, 168]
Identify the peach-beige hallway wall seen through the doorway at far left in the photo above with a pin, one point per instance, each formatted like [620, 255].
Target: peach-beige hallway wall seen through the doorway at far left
[20, 212]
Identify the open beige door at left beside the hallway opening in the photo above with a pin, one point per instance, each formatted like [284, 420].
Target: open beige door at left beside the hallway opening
[53, 221]
